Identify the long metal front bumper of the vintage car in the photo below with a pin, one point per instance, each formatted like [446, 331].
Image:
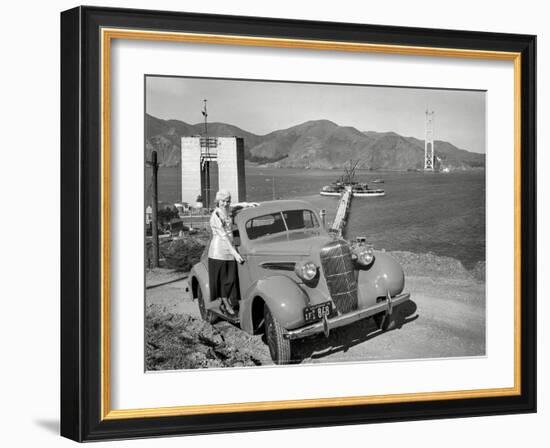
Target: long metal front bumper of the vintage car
[325, 325]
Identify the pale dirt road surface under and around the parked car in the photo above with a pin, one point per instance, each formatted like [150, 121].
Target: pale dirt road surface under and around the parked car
[445, 318]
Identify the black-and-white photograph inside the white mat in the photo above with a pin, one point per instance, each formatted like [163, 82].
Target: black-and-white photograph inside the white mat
[292, 223]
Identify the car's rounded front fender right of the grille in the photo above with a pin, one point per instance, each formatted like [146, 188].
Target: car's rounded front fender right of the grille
[385, 274]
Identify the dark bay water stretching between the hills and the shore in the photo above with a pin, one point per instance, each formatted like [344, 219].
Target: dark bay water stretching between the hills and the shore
[441, 213]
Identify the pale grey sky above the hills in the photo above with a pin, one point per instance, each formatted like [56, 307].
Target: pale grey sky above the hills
[261, 107]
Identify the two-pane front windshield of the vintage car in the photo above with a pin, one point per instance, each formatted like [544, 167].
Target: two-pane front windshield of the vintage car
[274, 223]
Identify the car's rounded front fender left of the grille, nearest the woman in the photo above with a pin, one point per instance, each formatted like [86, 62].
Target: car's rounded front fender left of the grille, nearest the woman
[285, 299]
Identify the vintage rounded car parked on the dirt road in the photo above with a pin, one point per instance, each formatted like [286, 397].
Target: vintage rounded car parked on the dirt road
[299, 280]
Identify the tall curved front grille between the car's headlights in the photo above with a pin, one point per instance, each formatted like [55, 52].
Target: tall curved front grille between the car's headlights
[340, 277]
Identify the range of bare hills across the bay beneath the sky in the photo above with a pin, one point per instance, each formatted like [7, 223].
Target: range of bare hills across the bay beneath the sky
[314, 144]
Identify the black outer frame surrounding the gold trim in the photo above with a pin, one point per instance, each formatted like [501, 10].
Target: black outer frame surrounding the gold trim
[81, 221]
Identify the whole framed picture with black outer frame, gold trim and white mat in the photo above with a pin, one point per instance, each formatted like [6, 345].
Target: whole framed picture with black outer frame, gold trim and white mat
[273, 224]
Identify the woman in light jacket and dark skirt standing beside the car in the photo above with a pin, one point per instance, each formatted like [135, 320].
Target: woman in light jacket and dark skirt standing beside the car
[222, 256]
